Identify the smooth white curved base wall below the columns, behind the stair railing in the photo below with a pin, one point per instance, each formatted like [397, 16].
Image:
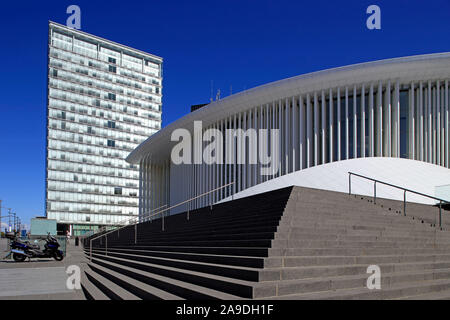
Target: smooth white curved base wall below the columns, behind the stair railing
[415, 175]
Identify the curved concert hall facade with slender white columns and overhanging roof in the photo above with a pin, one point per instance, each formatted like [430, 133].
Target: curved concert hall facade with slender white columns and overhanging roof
[396, 108]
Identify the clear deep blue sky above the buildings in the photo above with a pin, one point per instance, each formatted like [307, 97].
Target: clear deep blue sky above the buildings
[235, 43]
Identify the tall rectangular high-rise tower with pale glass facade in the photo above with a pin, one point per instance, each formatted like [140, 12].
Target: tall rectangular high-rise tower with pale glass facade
[103, 100]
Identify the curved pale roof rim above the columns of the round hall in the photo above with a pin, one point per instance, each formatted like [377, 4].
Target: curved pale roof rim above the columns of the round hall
[407, 69]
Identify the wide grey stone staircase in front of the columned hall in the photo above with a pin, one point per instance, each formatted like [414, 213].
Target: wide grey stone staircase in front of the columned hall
[293, 243]
